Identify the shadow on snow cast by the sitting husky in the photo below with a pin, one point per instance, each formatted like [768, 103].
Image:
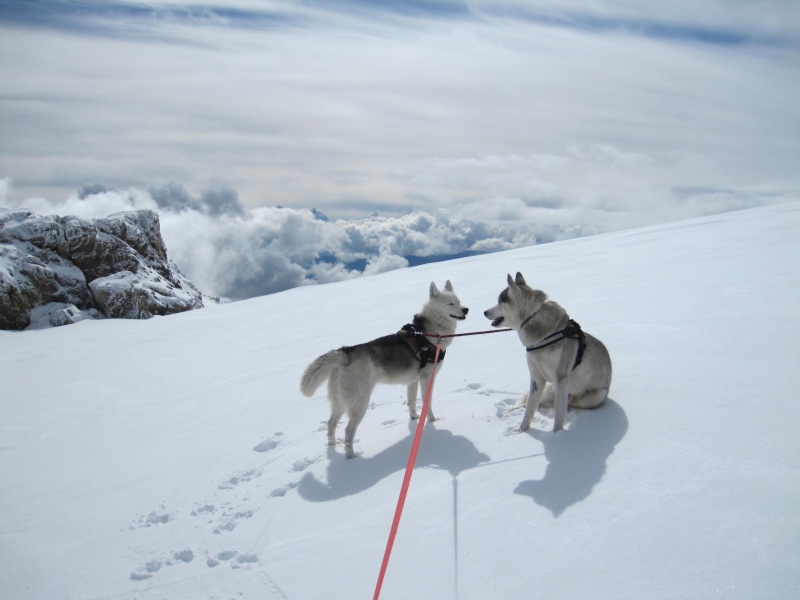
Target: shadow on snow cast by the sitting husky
[576, 458]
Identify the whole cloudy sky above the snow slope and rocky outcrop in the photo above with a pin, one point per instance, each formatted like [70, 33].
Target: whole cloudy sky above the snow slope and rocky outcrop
[533, 121]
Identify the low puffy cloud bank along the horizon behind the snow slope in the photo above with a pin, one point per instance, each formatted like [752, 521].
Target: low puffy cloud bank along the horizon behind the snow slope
[235, 252]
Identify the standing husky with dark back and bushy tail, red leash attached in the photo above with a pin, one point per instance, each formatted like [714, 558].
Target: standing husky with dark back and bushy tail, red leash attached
[404, 357]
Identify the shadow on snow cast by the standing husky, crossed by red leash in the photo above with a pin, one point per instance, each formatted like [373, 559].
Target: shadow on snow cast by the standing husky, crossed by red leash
[439, 449]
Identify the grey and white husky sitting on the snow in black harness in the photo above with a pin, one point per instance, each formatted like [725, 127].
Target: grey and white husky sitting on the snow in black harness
[567, 366]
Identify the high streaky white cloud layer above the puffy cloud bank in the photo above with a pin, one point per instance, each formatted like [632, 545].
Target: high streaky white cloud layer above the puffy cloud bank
[355, 106]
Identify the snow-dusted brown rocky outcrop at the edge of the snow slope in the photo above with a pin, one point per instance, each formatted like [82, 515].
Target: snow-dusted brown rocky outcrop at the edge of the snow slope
[58, 270]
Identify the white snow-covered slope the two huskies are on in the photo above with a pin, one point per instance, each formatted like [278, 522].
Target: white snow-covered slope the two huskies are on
[175, 457]
